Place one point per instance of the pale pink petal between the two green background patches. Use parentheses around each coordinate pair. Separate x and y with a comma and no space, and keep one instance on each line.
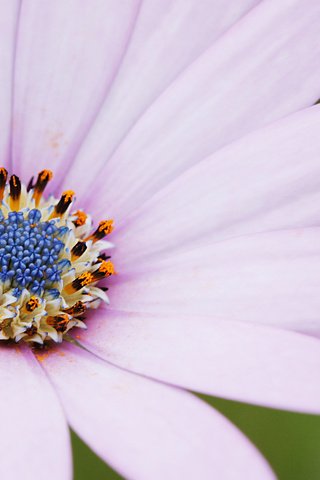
(145,429)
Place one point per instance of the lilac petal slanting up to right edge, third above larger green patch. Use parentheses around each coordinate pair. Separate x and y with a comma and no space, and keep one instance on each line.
(267,180)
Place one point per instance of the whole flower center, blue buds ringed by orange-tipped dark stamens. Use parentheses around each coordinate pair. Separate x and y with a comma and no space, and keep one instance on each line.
(50,262)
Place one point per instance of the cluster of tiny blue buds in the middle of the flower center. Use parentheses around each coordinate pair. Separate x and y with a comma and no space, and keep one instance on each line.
(31,253)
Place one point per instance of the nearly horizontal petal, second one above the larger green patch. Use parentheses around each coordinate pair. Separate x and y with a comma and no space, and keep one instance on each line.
(266,278)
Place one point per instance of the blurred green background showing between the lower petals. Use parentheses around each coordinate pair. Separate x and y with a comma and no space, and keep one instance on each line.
(290,441)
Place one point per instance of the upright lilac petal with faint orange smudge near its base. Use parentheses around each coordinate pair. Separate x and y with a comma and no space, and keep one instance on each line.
(67,56)
